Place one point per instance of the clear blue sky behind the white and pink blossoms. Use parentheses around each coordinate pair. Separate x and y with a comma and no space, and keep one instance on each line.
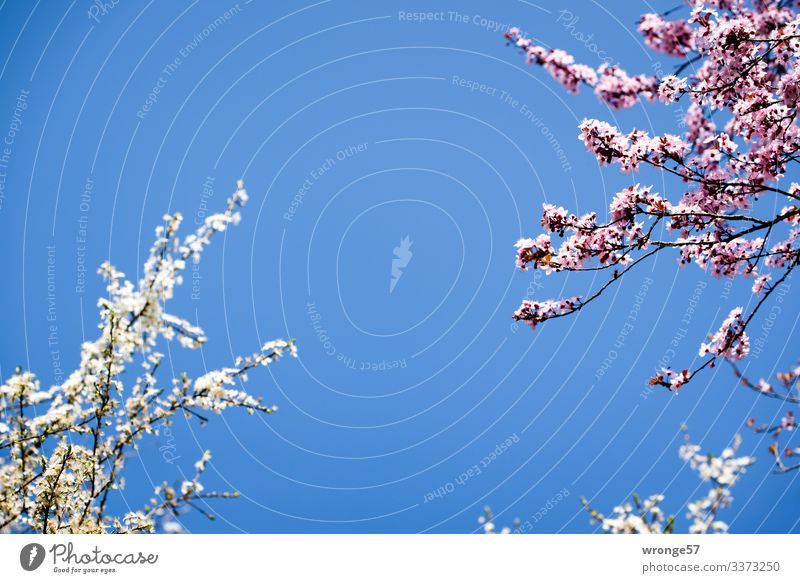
(356,125)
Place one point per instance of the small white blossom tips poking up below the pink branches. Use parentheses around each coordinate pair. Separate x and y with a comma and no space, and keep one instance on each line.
(644,516)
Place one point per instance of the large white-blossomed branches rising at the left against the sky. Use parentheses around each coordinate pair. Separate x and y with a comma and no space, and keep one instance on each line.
(63,449)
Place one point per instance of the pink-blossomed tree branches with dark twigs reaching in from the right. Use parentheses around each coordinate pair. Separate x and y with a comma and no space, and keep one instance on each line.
(739,76)
